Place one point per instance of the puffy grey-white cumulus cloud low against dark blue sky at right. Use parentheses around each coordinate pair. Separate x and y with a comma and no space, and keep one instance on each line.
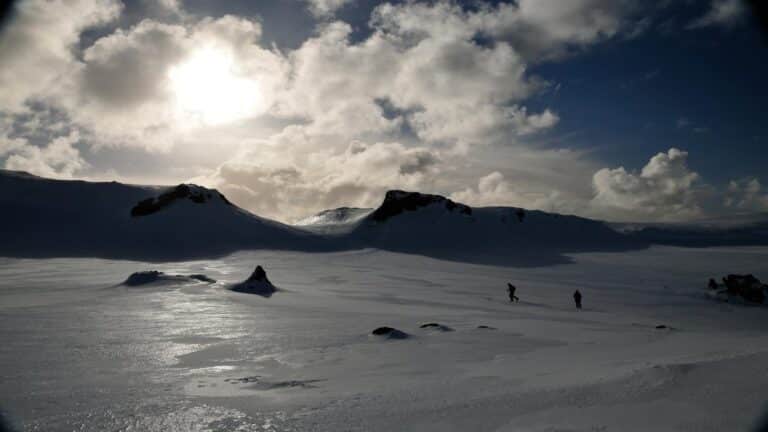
(664,190)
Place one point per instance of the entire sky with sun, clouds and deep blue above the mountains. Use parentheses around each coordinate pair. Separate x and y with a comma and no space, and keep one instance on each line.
(623,110)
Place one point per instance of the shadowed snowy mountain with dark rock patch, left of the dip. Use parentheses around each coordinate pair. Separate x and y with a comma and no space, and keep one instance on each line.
(44,217)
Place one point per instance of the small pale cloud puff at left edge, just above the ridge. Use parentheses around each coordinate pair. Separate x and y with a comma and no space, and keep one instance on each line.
(58,159)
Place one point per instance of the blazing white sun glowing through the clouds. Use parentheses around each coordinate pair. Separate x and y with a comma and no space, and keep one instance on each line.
(207,87)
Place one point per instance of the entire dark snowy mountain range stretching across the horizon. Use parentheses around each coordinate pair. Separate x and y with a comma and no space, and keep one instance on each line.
(44,217)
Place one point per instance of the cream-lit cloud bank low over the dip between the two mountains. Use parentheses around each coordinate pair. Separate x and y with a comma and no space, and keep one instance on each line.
(269,186)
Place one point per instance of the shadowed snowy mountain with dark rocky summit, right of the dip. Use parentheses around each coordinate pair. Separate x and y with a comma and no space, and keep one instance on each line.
(437,226)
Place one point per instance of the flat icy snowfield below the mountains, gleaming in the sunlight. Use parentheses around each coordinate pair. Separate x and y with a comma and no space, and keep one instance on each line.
(80,353)
